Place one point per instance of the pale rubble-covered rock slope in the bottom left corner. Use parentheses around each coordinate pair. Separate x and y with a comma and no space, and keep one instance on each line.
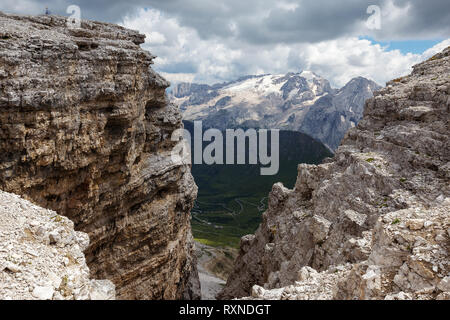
(41,256)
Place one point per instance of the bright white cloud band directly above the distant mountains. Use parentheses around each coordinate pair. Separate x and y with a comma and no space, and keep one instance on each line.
(184,56)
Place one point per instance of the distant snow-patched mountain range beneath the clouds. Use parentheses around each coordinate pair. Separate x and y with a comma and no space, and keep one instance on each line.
(302,101)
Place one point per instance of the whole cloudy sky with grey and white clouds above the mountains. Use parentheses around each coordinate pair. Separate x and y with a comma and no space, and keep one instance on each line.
(212,41)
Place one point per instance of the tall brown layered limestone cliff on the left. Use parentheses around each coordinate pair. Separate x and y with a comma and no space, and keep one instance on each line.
(85,130)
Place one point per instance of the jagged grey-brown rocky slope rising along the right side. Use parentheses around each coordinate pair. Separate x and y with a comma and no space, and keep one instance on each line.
(372,223)
